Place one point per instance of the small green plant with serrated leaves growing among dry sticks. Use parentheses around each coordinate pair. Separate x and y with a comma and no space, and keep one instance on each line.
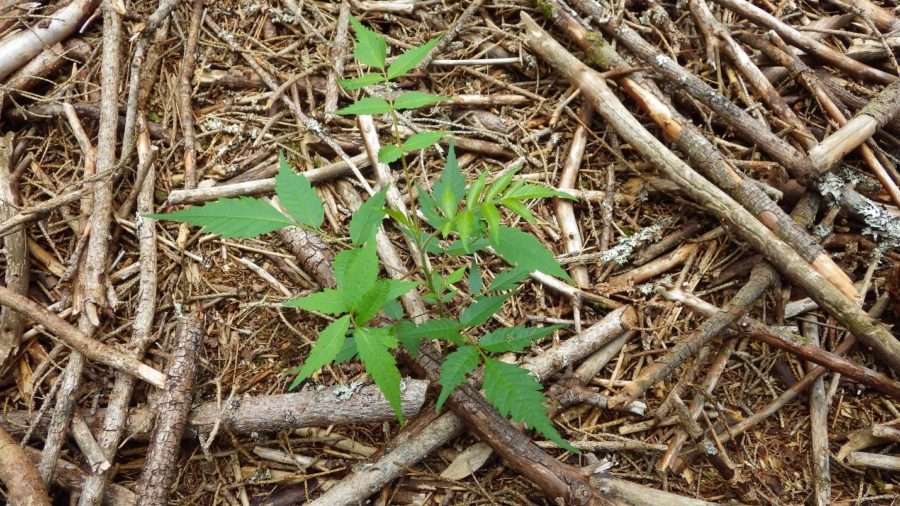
(457,220)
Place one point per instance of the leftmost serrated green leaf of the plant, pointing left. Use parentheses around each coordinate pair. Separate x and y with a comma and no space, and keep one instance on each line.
(240,217)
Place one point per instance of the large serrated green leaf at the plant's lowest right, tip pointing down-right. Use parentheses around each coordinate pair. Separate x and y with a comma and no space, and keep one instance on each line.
(515,393)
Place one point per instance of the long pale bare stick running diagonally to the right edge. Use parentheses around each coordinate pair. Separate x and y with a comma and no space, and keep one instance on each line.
(617,116)
